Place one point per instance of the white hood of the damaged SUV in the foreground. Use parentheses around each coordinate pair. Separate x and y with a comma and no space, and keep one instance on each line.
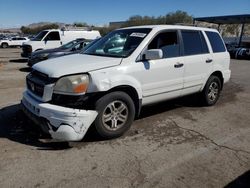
(73,64)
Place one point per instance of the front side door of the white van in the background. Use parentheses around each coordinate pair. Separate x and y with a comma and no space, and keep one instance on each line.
(52,40)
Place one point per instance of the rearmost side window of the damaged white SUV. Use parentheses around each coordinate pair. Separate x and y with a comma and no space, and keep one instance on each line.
(215,41)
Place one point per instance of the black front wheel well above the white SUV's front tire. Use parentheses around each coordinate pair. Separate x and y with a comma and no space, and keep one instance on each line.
(132,93)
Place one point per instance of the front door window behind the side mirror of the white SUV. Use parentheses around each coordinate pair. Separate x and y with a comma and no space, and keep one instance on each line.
(168,42)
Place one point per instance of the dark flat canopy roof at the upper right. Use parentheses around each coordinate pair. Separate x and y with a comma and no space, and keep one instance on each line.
(231,19)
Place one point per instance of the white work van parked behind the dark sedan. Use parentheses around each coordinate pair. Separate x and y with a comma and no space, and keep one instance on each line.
(54,38)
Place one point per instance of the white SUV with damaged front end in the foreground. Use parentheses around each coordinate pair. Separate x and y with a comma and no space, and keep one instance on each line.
(107,85)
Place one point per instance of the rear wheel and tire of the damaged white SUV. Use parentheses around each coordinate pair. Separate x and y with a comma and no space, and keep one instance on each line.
(211,91)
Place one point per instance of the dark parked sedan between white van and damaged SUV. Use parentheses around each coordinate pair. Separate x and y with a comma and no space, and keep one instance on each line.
(69,48)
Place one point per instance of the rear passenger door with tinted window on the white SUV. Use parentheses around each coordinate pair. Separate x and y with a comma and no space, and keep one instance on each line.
(198,62)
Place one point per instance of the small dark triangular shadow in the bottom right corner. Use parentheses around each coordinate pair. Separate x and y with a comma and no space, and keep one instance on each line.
(242,181)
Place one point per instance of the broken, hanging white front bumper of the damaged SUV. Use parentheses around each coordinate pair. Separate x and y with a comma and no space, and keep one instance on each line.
(63,124)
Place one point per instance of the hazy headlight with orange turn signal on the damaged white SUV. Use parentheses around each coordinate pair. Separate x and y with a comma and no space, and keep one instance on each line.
(72,85)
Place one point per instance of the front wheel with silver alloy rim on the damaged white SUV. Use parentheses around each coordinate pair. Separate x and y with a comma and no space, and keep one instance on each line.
(116,113)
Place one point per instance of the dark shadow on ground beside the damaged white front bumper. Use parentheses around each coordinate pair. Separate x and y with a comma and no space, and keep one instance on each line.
(15,126)
